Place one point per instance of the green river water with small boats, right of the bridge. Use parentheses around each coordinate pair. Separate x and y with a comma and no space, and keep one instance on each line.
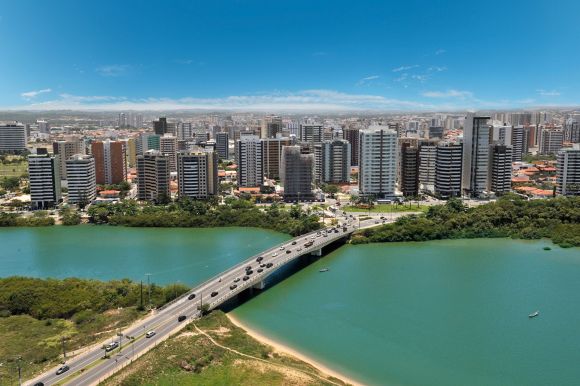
(435,313)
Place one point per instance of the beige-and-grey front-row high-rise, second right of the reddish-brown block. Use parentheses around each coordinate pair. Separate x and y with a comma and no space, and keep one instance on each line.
(197,174)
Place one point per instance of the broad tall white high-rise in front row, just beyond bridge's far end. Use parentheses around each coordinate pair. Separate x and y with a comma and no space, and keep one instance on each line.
(378,162)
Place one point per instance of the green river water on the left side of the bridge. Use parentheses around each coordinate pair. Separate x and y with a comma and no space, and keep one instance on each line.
(101,252)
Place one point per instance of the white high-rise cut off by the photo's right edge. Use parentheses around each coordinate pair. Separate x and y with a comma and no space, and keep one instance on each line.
(568,171)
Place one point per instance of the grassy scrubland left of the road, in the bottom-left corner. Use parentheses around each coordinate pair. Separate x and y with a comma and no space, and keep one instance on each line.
(39,342)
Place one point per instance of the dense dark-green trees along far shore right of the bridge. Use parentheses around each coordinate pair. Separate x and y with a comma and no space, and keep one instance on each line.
(510,216)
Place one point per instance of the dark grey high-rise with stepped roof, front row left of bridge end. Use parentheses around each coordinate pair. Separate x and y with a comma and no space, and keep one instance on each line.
(296,174)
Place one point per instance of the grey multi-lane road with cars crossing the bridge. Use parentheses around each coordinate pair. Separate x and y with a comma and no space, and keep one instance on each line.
(90,367)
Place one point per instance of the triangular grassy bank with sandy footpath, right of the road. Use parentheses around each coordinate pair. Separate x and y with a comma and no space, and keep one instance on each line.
(190,358)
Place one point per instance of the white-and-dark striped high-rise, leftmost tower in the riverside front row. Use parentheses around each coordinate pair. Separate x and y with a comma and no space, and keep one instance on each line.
(44,181)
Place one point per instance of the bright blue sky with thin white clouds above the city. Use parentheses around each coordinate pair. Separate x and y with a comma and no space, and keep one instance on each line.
(289,55)
